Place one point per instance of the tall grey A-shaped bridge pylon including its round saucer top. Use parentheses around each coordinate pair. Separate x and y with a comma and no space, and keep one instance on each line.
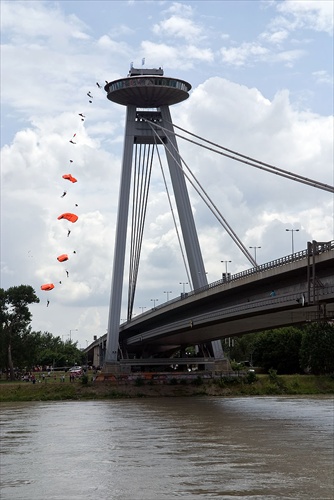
(147,95)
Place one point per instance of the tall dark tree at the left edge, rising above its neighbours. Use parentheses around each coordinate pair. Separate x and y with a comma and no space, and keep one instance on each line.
(15,319)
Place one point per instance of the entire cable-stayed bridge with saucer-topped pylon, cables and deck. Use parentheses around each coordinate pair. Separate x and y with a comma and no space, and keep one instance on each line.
(290,290)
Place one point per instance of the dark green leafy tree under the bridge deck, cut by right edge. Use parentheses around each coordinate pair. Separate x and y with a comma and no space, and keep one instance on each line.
(317,348)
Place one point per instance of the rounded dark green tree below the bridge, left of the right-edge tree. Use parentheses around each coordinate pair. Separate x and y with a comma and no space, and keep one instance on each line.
(279,349)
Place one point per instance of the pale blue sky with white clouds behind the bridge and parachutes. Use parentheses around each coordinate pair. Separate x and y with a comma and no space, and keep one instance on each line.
(262,85)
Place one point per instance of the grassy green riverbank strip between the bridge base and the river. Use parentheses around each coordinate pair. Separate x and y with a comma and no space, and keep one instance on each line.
(264,385)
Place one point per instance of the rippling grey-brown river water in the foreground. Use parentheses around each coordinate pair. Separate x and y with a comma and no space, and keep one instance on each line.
(258,448)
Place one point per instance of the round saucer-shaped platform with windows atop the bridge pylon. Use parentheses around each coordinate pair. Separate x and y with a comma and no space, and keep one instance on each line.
(147,88)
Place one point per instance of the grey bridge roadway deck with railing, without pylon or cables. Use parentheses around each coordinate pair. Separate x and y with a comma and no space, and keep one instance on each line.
(291,290)
